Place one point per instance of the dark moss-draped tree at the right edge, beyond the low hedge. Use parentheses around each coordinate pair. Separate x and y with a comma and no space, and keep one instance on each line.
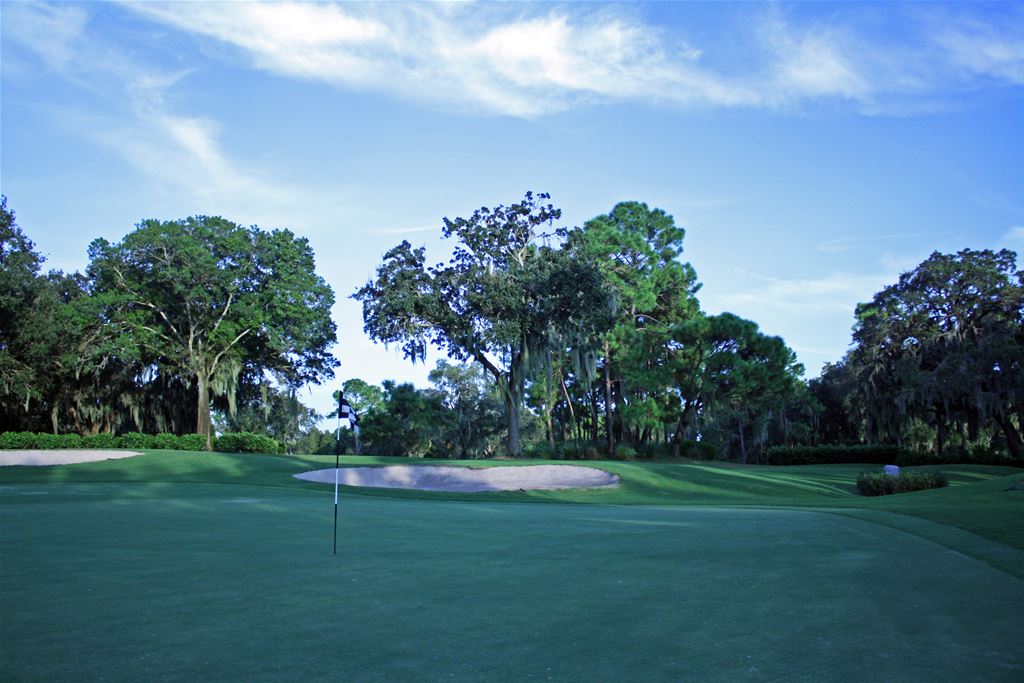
(946,346)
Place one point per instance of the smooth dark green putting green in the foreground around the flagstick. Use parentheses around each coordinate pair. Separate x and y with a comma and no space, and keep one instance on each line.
(175,581)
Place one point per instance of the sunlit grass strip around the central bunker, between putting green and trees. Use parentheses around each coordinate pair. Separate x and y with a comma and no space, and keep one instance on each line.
(977,501)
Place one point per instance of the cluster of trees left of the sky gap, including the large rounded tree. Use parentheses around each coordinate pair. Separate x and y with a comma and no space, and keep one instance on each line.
(178,321)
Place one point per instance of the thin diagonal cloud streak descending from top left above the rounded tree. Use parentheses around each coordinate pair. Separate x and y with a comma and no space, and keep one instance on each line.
(181,153)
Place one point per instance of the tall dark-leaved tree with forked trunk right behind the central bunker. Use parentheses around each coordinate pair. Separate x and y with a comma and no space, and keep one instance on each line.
(503,301)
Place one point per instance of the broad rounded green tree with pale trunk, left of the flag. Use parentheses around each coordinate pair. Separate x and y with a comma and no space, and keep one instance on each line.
(204,300)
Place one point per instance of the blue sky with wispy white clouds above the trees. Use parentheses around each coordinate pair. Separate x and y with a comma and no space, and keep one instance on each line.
(813,152)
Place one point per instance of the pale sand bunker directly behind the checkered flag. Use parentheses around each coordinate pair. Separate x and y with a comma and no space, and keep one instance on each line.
(465,480)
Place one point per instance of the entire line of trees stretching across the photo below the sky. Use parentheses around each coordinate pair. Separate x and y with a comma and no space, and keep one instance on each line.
(562,341)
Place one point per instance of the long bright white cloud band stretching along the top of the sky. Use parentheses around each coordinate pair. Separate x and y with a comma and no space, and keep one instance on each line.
(530,61)
